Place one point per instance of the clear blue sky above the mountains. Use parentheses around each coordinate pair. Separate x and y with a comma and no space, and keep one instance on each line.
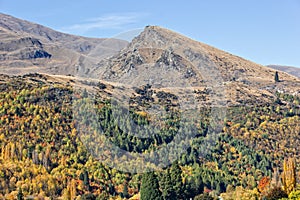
(264,31)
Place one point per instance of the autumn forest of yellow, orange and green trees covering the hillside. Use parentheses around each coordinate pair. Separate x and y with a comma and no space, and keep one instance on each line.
(52,146)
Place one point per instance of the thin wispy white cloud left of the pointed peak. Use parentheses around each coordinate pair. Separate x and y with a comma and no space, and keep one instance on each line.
(112,21)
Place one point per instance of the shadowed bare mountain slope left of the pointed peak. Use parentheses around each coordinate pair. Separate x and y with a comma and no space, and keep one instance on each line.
(29,47)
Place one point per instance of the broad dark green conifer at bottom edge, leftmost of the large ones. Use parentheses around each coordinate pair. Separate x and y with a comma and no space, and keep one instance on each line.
(150,187)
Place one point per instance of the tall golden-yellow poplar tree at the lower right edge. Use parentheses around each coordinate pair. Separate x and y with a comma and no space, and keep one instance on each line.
(288,176)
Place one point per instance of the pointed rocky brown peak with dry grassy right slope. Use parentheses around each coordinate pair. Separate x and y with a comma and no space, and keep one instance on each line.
(166,59)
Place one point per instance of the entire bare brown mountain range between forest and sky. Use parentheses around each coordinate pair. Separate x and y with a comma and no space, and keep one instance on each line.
(157,56)
